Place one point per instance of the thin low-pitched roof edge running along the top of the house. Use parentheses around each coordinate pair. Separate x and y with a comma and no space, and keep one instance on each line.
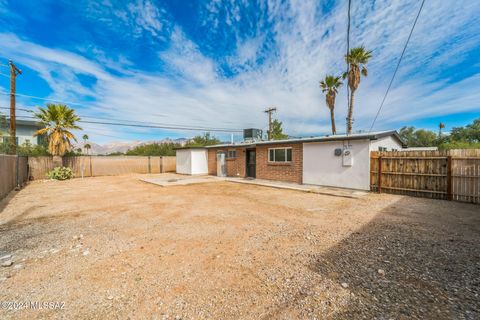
(339,137)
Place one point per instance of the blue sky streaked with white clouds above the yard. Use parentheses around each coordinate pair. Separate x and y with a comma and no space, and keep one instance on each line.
(220,63)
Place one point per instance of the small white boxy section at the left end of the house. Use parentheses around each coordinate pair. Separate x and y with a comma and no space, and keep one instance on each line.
(192,161)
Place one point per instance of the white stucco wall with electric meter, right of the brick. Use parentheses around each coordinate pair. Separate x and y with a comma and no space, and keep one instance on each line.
(322,167)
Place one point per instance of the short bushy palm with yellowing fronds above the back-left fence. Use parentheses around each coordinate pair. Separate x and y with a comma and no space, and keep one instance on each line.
(58,120)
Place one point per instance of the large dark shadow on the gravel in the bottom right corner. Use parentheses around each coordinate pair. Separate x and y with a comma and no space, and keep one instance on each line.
(430,259)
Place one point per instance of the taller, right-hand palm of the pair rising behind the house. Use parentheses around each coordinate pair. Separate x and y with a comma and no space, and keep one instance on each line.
(357,58)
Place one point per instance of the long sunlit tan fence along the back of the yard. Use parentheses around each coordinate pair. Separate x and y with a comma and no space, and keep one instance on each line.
(93,166)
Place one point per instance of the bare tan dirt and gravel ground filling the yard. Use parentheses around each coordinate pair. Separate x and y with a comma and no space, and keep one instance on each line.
(119,248)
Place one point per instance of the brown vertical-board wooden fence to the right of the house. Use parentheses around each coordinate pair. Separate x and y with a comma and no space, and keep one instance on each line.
(450,174)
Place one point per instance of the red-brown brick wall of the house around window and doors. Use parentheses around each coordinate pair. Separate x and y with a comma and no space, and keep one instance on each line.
(290,172)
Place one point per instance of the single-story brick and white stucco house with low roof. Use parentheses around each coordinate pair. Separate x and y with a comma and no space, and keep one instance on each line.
(337,160)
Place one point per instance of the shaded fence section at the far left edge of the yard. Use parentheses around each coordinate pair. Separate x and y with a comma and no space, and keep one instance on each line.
(13,173)
